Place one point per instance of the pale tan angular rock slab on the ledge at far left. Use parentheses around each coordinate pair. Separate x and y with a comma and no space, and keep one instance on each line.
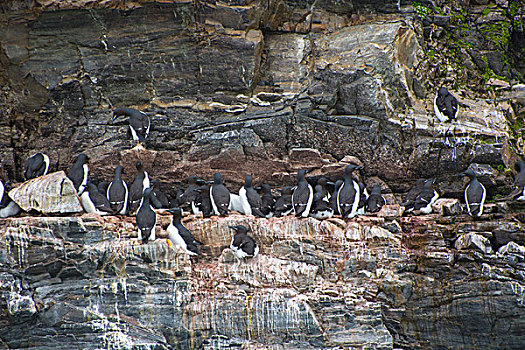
(50,194)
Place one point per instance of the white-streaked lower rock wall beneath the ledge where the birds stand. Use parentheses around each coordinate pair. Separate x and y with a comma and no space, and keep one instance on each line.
(369,283)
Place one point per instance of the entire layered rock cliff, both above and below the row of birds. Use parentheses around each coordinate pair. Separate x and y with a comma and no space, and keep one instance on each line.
(261,87)
